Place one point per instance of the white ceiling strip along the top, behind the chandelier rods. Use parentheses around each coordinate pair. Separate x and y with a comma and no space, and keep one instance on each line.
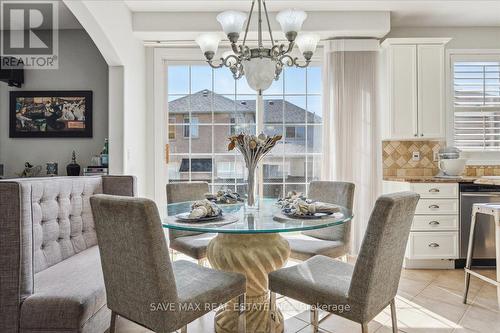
(404,13)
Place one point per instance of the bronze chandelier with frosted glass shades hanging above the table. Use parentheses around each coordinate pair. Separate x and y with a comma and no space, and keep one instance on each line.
(260,65)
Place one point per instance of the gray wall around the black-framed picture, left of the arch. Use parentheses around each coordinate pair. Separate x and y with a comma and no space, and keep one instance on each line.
(81,67)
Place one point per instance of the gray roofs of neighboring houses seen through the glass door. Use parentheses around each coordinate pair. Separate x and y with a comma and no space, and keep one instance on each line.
(200,101)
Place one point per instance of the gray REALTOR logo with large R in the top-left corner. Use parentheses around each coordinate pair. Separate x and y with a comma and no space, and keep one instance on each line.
(29,33)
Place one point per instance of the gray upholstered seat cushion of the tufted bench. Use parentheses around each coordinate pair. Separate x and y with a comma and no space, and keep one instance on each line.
(67,294)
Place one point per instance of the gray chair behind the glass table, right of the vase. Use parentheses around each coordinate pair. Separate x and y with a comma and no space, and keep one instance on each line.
(334,241)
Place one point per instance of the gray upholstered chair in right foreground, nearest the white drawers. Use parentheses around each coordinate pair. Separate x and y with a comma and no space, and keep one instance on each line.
(368,286)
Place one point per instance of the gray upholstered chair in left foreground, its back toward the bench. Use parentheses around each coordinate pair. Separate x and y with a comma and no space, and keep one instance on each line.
(141,282)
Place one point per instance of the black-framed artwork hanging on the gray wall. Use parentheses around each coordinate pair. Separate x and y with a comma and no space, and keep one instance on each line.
(50,114)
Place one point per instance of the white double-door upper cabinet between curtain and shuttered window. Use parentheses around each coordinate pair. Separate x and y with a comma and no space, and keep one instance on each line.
(415,88)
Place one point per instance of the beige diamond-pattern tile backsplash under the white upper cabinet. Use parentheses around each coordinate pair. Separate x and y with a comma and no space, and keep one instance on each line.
(397,158)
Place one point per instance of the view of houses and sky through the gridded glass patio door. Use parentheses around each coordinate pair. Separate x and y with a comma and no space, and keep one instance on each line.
(207,106)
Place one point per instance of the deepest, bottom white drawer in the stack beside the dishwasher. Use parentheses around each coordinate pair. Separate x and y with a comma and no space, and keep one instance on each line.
(433,245)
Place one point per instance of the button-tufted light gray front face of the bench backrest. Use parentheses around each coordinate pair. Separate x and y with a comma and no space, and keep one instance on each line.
(62,220)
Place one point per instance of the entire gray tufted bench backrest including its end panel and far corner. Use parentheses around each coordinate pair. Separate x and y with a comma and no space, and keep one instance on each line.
(44,221)
